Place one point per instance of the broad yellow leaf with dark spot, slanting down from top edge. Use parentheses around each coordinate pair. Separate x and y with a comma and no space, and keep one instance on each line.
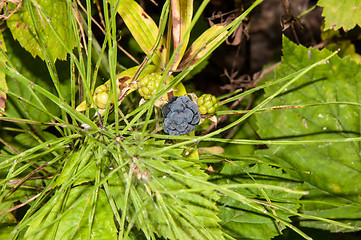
(143,28)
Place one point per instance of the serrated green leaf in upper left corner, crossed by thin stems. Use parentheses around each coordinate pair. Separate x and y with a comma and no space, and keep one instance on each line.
(23,28)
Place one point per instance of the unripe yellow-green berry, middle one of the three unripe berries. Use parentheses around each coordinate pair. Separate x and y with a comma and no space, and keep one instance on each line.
(147,85)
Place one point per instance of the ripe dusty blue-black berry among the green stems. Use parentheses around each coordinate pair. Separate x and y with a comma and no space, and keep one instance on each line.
(181,116)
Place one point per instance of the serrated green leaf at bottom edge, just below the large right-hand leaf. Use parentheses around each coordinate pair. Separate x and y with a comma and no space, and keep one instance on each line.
(242,222)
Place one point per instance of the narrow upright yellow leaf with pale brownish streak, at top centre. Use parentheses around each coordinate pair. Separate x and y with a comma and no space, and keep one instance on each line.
(182,12)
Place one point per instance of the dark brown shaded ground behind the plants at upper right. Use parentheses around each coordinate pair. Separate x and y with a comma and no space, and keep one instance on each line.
(261,41)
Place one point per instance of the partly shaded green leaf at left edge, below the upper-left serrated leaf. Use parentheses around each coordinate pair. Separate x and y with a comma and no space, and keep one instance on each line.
(36,70)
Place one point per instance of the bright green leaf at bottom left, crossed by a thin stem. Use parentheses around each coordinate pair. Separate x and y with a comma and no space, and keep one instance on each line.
(50,223)
